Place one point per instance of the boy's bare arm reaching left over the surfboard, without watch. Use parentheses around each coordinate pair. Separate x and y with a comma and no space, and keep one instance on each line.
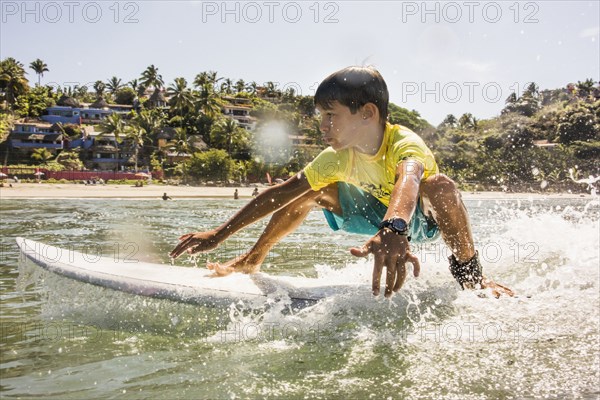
(267,202)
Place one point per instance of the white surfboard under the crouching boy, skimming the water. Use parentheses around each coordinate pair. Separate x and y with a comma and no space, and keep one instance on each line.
(183,284)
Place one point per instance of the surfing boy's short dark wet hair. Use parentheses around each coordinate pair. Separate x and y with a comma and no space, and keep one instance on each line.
(354,87)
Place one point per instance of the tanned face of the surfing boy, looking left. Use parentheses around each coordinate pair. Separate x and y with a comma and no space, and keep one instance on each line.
(340,128)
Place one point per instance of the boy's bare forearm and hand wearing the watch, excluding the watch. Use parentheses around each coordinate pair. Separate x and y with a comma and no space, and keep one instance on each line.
(389,249)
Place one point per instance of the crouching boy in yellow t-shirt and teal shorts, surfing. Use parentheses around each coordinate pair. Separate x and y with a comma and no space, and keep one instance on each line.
(375,179)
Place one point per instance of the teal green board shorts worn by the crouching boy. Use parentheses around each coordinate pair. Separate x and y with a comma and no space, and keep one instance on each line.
(362,213)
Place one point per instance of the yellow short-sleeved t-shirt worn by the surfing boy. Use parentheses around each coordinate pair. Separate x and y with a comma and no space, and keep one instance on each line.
(375,174)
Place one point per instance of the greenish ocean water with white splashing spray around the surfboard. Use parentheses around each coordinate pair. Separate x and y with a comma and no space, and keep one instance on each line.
(61,339)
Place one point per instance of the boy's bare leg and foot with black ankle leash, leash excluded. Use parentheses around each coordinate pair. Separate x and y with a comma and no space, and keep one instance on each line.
(442,198)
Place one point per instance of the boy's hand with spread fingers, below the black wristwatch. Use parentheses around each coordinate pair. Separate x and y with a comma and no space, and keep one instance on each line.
(393,252)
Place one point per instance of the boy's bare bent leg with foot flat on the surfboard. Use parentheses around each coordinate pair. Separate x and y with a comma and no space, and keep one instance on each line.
(282,223)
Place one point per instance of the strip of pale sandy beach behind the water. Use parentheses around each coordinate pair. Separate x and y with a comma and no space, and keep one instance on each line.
(155,191)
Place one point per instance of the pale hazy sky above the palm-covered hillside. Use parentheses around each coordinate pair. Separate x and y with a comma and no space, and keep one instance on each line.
(438,58)
